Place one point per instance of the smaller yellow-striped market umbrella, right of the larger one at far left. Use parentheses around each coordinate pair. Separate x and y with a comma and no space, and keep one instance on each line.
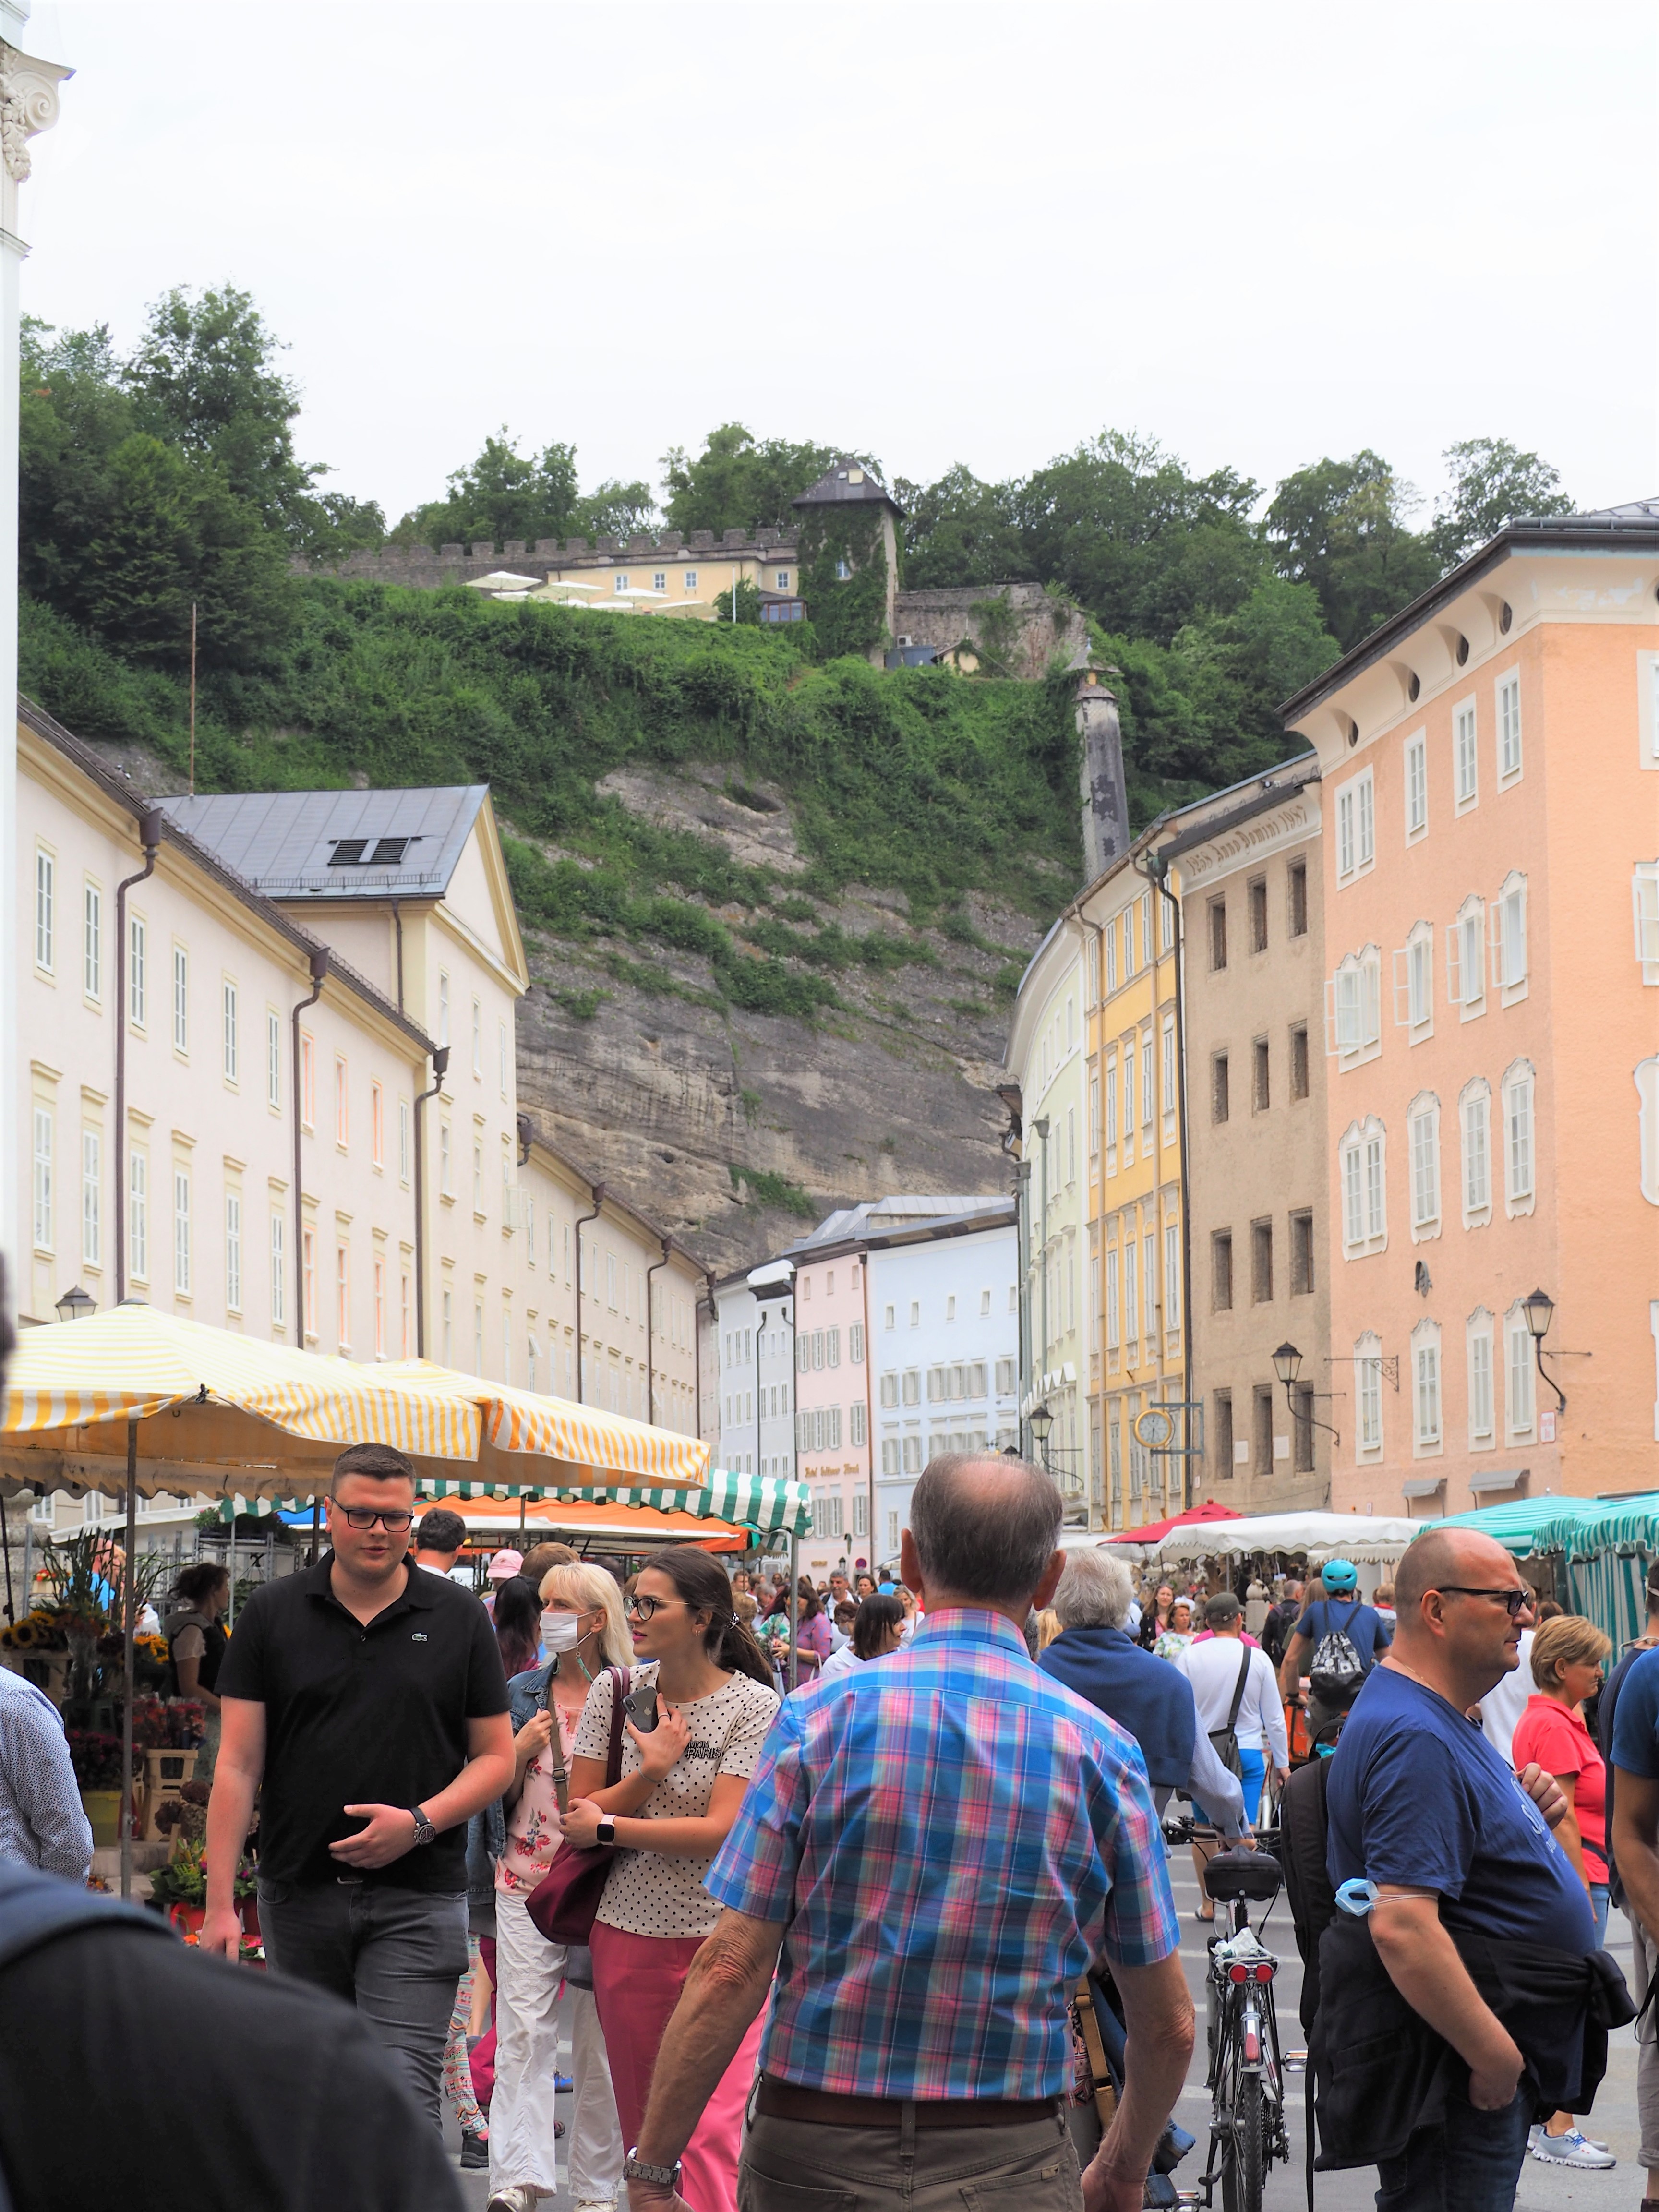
(523,1428)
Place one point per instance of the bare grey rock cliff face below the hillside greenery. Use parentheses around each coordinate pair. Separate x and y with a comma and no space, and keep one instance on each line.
(738,1129)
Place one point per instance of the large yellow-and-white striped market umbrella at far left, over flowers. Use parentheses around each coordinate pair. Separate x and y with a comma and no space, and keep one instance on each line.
(207,1404)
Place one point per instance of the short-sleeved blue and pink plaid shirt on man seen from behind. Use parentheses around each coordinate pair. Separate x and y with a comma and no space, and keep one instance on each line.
(943,1833)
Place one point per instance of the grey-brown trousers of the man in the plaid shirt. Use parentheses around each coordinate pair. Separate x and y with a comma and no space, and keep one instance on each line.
(808,2167)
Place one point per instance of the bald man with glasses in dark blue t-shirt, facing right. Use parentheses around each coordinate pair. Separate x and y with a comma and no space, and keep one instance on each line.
(1423,1808)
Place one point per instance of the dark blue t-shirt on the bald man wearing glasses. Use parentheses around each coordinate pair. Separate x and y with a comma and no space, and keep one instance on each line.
(1421,1799)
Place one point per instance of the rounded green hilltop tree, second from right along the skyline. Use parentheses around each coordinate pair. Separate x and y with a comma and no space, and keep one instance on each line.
(1342,528)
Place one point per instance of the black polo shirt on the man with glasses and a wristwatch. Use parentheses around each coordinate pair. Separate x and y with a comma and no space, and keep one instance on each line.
(362,1715)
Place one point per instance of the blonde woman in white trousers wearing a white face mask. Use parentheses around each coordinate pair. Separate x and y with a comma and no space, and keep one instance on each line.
(583,1634)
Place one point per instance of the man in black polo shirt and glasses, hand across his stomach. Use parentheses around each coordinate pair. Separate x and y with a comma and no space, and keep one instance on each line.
(371,1702)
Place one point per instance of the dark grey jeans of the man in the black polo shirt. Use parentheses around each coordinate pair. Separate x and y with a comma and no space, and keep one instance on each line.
(395,1954)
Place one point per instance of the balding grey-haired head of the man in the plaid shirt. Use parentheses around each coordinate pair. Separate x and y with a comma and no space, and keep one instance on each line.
(988,1538)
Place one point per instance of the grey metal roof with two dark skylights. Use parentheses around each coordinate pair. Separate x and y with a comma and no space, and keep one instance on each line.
(337,844)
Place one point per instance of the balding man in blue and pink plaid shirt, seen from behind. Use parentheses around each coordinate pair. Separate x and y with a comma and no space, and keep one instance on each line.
(930,1855)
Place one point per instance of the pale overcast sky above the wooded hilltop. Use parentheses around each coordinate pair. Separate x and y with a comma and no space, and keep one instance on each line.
(926,231)
